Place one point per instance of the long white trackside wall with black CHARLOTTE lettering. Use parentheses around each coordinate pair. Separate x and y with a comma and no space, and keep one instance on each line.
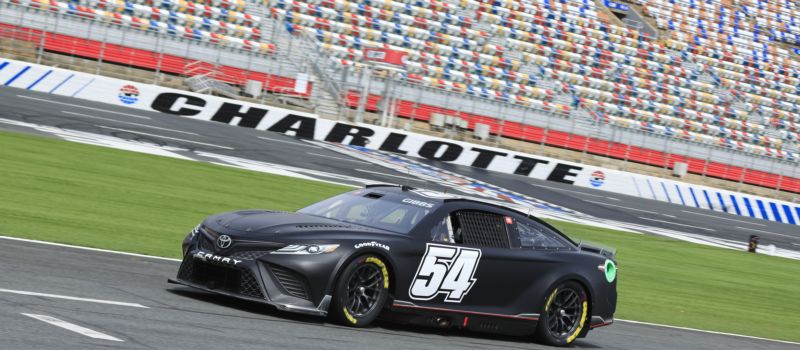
(179,103)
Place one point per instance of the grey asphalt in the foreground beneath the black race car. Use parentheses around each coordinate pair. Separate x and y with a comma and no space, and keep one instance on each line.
(177,317)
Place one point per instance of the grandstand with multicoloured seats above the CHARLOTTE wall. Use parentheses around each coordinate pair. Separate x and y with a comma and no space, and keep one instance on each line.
(717,86)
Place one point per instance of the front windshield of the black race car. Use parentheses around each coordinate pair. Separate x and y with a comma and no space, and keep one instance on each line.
(394,212)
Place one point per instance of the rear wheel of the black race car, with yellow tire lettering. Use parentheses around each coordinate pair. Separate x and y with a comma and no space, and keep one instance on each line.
(564,315)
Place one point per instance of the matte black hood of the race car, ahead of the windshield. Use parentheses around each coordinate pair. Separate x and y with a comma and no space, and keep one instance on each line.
(270,223)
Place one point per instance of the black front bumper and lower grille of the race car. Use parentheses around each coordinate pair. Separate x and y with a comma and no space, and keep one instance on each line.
(250,279)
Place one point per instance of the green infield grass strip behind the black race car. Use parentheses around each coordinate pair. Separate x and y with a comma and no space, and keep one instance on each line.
(105,198)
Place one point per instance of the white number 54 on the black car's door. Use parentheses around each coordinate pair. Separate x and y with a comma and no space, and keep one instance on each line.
(447,270)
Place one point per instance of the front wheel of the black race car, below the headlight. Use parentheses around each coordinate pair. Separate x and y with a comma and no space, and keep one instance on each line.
(361,292)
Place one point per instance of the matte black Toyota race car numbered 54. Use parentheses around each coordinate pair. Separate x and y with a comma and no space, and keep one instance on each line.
(407,255)
